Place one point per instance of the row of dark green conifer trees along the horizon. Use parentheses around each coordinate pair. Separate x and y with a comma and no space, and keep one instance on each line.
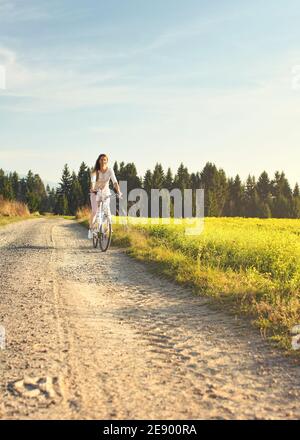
(264,197)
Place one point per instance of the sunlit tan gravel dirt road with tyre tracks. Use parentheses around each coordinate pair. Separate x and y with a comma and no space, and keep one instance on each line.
(93,335)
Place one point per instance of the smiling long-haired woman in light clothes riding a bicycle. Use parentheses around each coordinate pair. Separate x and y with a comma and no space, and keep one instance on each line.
(100,177)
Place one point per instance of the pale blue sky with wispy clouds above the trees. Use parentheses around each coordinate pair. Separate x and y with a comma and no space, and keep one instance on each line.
(166,81)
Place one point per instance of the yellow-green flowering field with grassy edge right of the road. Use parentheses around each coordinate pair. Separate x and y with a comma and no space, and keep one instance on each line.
(251,266)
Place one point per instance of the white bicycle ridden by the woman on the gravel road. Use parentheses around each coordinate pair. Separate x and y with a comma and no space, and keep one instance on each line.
(102,226)
